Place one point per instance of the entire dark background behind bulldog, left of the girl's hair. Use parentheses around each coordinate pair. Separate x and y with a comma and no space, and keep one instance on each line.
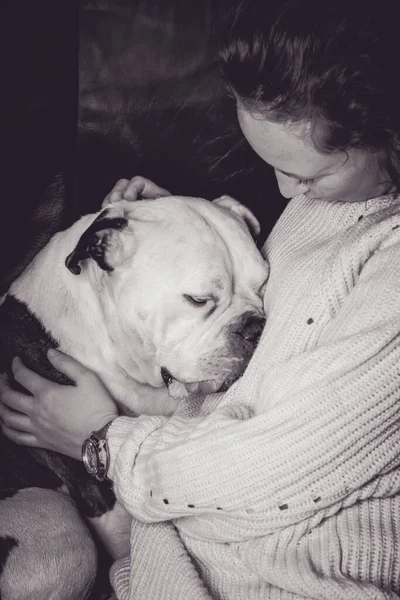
(96,91)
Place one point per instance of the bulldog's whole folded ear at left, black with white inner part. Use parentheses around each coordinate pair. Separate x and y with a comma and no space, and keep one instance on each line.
(102,242)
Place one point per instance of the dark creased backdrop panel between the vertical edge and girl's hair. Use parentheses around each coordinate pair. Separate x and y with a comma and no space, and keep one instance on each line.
(152,102)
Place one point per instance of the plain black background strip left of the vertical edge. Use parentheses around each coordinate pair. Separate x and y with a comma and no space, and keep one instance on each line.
(39,80)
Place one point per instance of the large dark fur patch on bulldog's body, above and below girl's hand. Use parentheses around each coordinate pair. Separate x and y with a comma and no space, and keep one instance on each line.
(22,334)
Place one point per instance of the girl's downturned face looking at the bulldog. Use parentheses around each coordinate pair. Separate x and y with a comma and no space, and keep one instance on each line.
(352,176)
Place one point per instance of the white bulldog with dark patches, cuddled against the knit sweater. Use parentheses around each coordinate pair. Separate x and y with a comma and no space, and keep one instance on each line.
(161,298)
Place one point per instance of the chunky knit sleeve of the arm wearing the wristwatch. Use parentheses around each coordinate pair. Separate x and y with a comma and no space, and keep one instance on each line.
(330,427)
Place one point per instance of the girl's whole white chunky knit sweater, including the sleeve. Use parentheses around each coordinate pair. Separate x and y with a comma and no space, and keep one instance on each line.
(287,486)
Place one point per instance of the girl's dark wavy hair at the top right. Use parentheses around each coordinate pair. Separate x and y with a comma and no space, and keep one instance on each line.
(332,63)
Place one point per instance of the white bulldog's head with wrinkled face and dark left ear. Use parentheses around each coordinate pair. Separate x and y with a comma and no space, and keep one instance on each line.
(181,282)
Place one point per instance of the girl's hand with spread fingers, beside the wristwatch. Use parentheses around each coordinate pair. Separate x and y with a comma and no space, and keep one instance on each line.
(56,417)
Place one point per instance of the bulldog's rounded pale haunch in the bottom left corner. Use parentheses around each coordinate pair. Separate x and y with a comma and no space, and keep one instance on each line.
(50,552)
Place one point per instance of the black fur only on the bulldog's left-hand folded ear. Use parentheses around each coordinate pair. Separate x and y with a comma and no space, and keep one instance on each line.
(93,243)
